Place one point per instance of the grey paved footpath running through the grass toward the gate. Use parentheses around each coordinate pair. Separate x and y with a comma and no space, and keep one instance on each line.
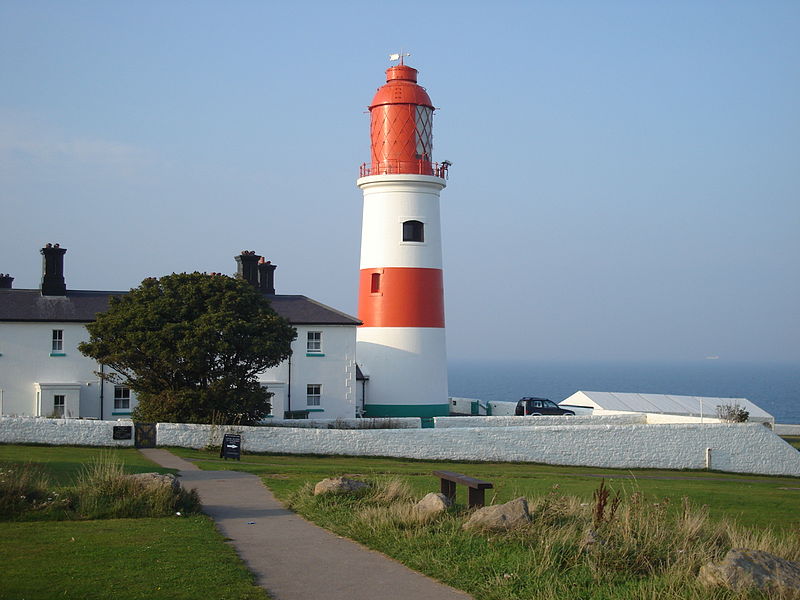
(291,558)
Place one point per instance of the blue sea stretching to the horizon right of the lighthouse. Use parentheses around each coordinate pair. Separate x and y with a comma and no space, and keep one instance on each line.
(775,387)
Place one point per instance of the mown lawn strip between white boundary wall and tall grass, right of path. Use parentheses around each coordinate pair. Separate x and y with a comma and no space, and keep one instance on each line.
(762,501)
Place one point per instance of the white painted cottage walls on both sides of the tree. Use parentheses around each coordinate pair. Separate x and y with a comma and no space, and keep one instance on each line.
(25,361)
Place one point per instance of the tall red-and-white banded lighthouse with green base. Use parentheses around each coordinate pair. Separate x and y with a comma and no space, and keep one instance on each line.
(401,344)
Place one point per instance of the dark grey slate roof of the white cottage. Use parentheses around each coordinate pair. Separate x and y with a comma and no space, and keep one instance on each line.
(81,306)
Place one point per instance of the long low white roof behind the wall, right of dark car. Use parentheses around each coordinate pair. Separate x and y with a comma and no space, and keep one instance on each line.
(663,403)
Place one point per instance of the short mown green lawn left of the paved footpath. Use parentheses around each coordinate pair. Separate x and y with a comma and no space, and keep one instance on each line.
(171,557)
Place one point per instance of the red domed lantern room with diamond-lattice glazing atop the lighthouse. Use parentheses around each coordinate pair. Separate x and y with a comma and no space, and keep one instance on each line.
(401,126)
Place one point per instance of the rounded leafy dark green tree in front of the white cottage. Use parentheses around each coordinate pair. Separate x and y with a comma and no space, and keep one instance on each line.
(191,346)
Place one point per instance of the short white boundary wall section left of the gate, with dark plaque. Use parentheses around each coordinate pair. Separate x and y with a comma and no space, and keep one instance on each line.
(61,432)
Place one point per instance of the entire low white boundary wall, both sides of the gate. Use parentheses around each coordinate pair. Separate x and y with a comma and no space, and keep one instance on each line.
(739,448)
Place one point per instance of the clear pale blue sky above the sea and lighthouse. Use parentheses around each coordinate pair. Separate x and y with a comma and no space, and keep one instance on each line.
(625,180)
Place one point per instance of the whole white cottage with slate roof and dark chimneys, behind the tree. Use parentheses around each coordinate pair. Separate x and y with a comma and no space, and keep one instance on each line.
(43,374)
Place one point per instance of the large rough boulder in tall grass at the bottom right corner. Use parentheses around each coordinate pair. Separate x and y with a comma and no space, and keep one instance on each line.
(743,569)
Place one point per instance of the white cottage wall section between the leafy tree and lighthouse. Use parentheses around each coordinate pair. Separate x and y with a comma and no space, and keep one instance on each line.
(334,368)
